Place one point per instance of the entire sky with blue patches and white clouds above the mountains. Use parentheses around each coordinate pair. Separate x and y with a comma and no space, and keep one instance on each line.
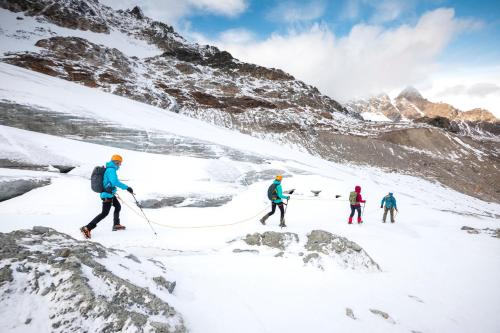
(358,48)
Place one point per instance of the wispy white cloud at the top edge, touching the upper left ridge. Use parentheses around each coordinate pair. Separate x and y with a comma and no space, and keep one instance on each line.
(171,11)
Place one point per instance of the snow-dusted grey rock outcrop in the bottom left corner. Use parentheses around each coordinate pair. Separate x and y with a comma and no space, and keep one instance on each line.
(64,271)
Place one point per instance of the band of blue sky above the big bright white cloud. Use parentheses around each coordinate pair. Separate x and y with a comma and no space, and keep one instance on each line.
(262,18)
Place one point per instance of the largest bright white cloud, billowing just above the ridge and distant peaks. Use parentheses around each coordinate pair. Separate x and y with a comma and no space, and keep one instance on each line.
(369,60)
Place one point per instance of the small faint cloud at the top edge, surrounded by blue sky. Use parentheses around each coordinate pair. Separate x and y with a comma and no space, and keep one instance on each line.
(293,11)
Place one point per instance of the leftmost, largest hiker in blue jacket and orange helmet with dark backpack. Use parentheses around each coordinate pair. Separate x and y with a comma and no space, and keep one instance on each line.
(107,193)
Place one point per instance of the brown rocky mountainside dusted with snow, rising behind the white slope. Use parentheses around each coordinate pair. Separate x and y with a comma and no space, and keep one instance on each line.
(71,40)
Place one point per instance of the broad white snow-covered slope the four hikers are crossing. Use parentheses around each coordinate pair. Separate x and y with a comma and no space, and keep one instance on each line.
(424,271)
